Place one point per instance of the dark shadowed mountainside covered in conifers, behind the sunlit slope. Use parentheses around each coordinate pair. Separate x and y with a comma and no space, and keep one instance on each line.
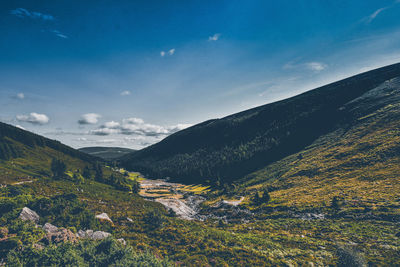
(230,148)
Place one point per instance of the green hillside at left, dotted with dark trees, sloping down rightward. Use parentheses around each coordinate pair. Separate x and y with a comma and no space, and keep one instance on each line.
(25,155)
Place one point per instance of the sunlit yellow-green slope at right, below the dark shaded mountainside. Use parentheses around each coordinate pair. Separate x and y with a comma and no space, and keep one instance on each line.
(359,161)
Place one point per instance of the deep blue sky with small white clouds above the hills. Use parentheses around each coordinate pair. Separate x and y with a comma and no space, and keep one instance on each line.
(130,73)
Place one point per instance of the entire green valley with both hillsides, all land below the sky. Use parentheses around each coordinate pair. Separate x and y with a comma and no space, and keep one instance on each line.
(244,190)
